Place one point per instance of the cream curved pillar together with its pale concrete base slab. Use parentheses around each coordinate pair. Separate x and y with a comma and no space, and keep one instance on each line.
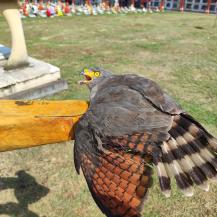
(22,77)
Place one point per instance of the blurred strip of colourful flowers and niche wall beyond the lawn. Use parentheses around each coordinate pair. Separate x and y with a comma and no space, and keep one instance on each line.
(52,8)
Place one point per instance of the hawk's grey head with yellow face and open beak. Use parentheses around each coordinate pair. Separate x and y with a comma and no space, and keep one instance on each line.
(93,75)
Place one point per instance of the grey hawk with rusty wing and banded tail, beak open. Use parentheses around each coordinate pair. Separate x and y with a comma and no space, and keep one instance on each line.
(131,127)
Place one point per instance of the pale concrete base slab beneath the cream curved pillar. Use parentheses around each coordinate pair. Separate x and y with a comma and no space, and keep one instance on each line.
(37,80)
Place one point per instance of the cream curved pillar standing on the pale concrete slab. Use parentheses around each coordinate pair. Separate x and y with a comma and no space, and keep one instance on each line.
(18,56)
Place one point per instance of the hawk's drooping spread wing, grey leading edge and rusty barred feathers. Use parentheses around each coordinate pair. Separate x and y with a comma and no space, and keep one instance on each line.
(117,179)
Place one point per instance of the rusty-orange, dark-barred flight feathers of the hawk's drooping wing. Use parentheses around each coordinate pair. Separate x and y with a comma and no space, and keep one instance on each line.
(119,183)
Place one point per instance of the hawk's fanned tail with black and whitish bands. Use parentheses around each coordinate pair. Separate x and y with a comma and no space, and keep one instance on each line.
(189,155)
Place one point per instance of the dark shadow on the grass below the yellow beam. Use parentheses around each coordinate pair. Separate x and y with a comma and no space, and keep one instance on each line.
(26,191)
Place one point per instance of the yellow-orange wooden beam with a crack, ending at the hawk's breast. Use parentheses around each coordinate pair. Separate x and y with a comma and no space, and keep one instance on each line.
(25,124)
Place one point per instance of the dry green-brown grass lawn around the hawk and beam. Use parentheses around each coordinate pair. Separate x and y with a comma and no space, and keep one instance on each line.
(176,50)
